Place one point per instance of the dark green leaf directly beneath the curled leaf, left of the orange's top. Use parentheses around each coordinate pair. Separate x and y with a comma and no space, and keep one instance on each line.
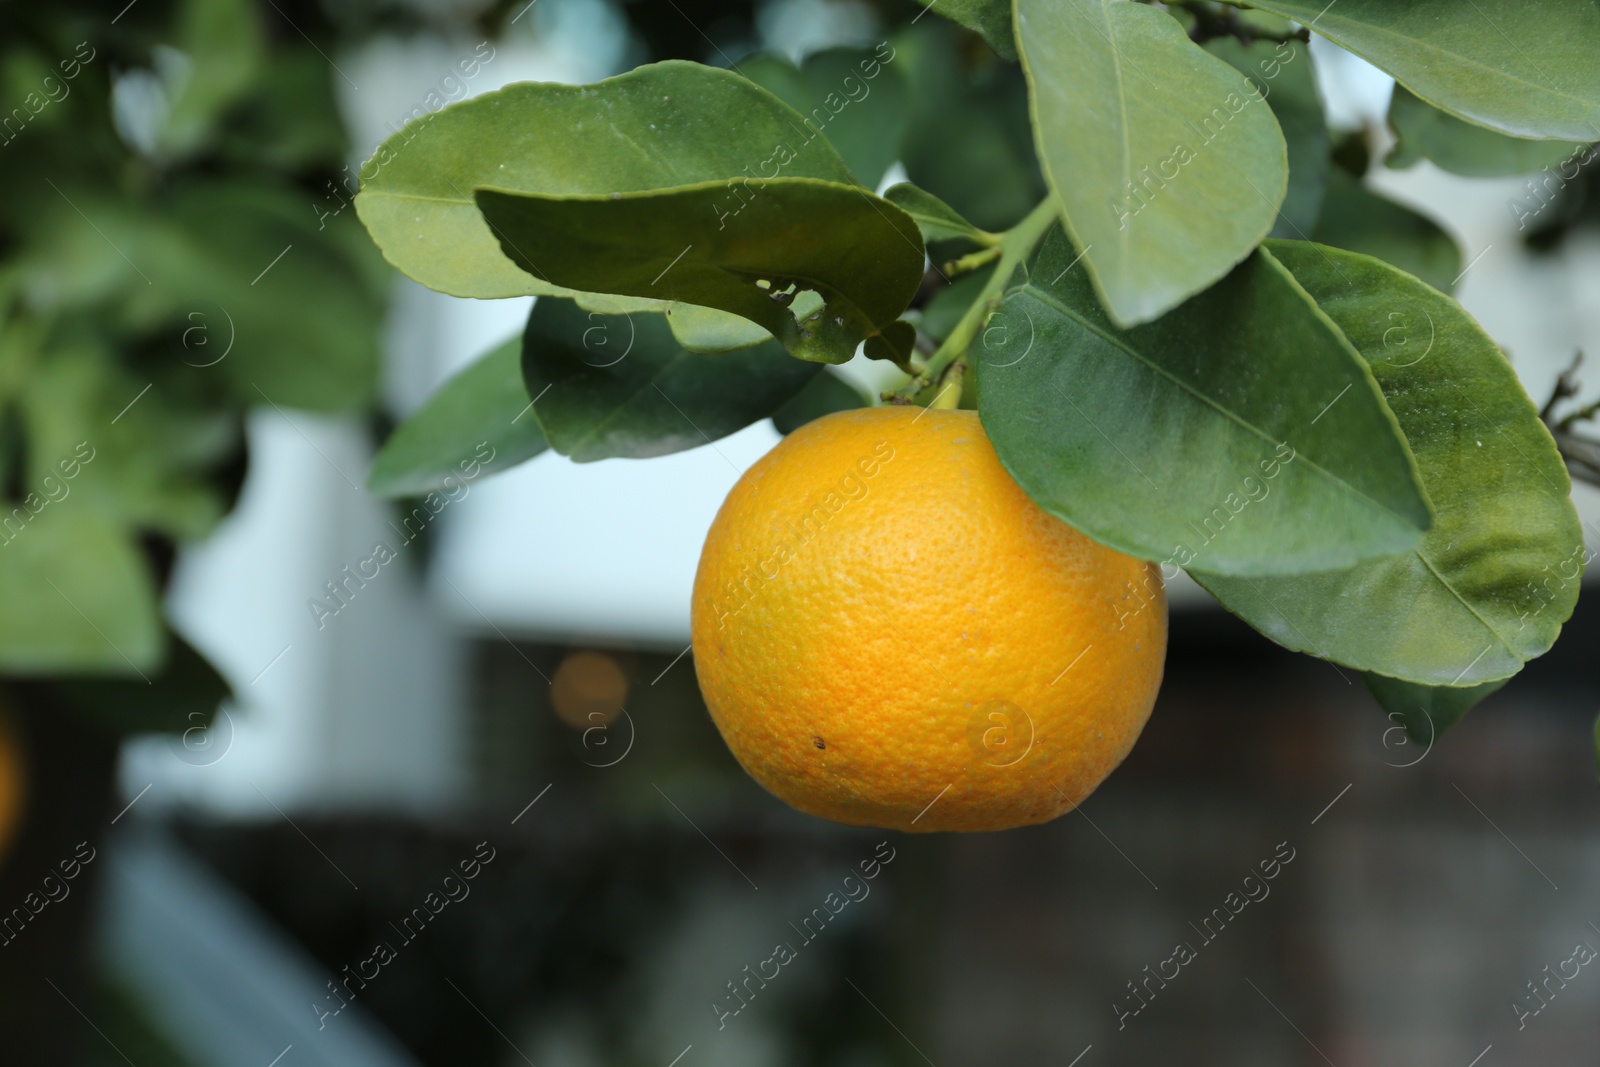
(612,386)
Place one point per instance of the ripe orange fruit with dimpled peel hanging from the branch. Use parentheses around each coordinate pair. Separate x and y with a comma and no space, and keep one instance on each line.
(890,633)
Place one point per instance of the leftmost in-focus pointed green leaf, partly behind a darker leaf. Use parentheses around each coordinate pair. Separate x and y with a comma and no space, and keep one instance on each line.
(484,409)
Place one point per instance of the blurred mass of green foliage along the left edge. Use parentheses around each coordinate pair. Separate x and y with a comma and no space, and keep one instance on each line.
(174,252)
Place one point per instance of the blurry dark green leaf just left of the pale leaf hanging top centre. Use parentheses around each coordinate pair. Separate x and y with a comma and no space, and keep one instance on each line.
(970,140)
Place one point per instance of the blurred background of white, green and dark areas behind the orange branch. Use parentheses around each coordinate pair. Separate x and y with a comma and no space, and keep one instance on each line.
(473,812)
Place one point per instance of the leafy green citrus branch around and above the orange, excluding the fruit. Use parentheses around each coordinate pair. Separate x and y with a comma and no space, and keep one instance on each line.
(1129,241)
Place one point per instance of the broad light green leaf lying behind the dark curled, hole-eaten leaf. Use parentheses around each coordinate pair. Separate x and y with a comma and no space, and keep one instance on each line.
(658,127)
